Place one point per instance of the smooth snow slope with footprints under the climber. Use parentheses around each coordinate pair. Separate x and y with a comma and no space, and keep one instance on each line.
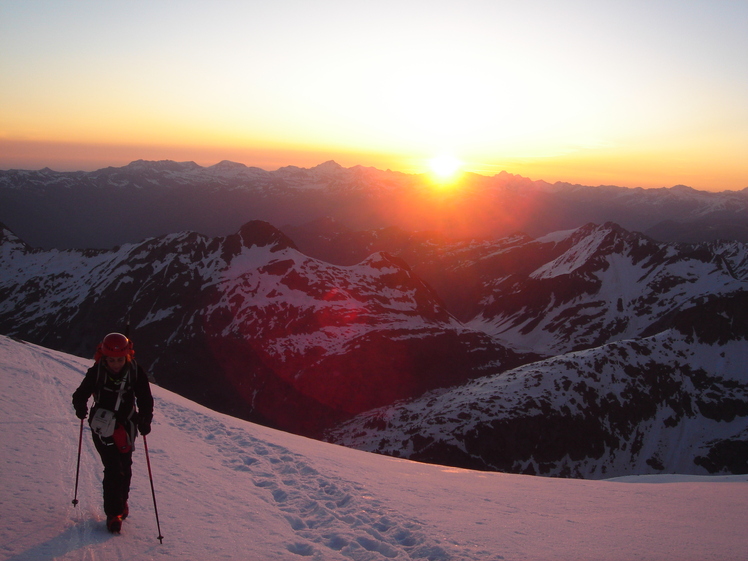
(228,489)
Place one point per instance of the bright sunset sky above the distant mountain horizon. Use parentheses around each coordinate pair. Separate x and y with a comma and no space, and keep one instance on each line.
(641,93)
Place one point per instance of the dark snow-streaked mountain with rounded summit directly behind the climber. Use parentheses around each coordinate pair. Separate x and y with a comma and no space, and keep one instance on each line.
(247,324)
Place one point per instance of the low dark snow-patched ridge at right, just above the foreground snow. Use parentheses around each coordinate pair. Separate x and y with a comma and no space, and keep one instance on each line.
(675,402)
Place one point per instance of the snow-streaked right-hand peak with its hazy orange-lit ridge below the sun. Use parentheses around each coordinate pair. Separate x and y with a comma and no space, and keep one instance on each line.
(624,280)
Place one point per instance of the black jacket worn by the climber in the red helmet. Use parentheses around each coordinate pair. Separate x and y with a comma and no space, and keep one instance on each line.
(104,385)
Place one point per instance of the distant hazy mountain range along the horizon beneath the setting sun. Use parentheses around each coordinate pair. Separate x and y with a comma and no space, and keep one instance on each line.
(112,206)
